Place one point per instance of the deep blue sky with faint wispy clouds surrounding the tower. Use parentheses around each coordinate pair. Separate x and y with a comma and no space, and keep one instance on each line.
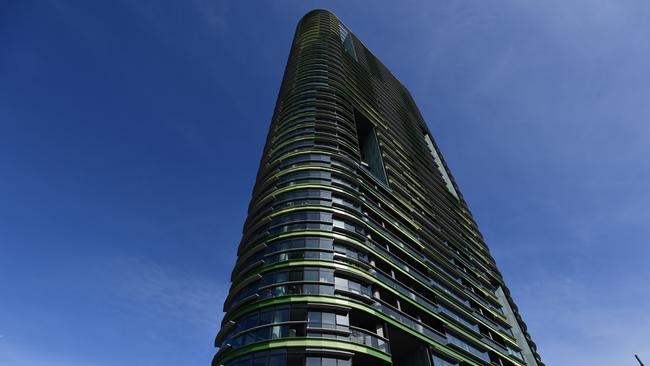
(131,131)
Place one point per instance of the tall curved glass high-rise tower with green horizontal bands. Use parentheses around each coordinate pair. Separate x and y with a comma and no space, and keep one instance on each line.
(358,248)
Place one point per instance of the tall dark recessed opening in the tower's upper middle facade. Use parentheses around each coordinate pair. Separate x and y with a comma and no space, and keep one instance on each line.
(369,147)
